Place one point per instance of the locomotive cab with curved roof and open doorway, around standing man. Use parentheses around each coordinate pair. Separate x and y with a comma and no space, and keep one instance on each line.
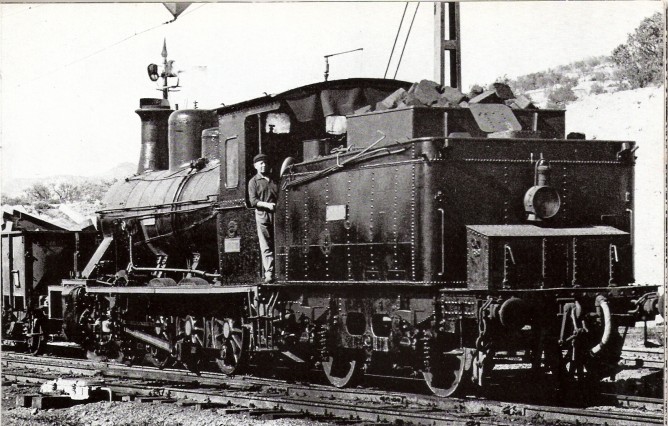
(303,125)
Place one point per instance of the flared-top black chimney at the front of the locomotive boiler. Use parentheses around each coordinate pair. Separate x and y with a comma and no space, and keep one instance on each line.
(154,114)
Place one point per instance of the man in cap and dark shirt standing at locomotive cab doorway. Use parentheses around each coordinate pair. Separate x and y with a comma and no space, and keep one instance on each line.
(262,194)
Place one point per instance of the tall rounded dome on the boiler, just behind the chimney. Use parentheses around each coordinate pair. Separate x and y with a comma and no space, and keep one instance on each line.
(185,135)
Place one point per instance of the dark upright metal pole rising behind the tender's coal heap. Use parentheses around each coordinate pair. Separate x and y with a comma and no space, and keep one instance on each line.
(447,41)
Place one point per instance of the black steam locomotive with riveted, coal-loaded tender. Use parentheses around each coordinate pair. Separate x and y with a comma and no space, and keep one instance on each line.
(411,240)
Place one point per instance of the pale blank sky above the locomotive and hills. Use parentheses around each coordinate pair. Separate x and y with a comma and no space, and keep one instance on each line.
(72,74)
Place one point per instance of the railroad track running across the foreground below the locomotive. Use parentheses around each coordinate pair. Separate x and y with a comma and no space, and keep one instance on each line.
(319,402)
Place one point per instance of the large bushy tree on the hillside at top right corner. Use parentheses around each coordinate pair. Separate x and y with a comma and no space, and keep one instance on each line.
(640,59)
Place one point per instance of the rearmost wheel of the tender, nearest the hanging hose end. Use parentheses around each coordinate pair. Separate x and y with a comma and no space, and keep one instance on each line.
(448,372)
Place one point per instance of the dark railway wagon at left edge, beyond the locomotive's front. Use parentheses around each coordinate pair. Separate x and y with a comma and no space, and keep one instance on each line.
(36,253)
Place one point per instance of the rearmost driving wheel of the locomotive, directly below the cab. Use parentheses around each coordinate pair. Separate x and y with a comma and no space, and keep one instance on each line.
(232,339)
